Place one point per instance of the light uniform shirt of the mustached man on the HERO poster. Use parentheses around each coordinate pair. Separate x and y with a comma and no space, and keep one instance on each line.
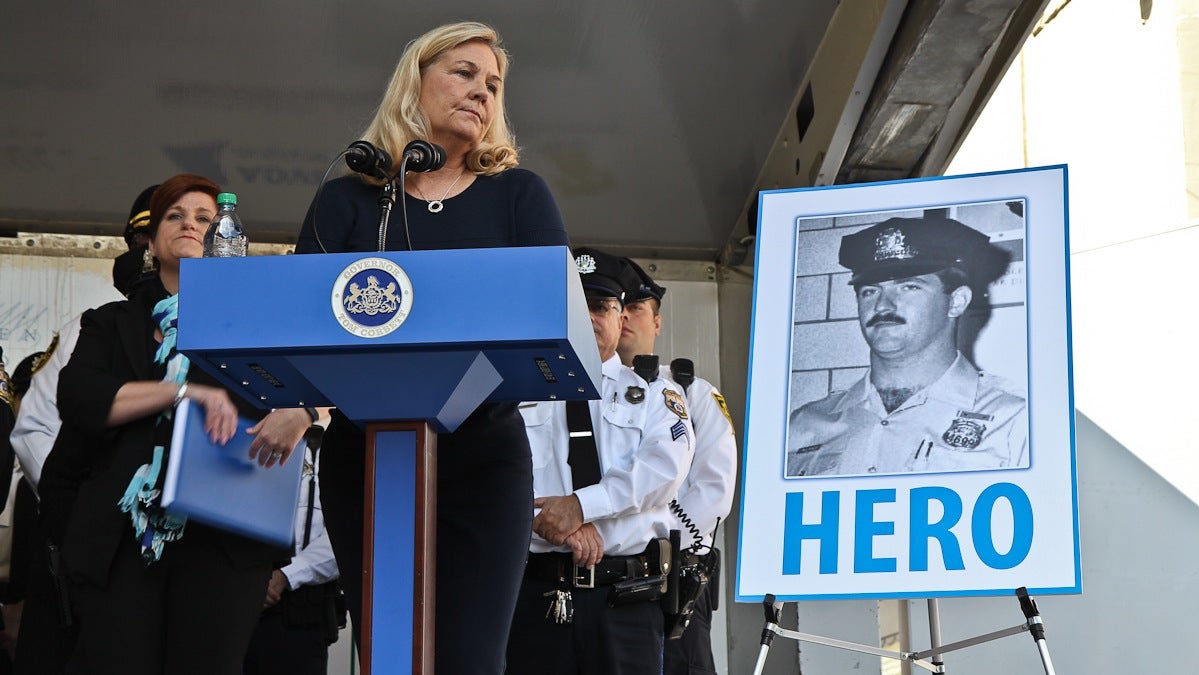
(967,420)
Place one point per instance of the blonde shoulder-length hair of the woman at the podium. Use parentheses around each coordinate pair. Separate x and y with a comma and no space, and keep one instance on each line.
(400,120)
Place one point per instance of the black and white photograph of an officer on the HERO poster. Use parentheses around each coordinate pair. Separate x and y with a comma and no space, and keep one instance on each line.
(909,349)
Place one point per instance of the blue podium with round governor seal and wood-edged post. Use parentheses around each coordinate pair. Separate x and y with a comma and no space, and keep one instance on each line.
(407,345)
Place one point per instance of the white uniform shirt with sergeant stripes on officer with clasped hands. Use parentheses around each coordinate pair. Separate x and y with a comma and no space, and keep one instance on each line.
(646,449)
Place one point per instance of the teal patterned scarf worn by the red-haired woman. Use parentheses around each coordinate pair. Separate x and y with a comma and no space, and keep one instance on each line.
(152,525)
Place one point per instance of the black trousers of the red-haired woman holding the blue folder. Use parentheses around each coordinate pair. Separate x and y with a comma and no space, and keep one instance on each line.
(191,613)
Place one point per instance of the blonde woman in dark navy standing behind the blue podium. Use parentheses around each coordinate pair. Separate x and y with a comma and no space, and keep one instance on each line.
(448,89)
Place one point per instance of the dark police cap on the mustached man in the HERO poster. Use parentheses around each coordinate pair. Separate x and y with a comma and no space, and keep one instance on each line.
(909,248)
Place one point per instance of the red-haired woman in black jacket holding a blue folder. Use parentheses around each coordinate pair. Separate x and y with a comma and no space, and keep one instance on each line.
(153,593)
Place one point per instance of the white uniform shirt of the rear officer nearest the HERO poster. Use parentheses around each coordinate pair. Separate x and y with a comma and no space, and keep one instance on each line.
(707,493)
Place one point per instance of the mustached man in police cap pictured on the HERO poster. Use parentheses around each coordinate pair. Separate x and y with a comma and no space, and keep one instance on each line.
(923,406)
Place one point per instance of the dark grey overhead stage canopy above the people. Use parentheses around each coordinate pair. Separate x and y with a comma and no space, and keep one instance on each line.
(654,123)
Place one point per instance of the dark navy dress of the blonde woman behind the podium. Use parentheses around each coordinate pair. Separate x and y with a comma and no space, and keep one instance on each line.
(485,468)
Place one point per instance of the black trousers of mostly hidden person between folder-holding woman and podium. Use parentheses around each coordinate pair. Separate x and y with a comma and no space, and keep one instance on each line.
(279,650)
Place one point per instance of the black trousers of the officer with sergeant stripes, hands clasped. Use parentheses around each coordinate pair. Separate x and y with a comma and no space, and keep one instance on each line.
(601,641)
